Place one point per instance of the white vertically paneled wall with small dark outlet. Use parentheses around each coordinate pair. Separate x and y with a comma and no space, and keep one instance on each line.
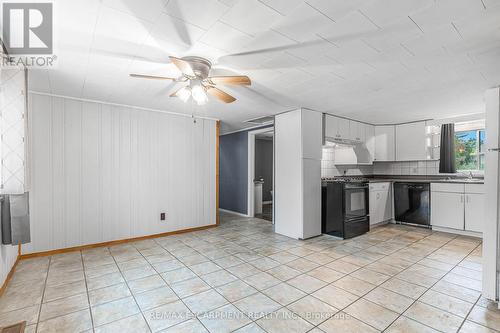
(102,172)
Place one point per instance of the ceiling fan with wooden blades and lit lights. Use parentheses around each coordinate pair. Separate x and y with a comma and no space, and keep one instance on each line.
(195,71)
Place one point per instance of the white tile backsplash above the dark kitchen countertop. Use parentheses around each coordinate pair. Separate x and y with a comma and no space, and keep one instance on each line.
(416,168)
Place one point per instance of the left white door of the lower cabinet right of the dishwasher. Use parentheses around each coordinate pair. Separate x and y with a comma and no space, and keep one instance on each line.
(447,210)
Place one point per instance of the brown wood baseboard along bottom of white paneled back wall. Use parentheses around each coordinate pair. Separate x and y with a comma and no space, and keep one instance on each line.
(111,243)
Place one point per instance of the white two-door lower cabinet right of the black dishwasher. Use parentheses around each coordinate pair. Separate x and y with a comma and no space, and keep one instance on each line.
(458,206)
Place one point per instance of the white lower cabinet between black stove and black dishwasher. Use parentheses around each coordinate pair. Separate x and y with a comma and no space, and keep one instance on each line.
(380,202)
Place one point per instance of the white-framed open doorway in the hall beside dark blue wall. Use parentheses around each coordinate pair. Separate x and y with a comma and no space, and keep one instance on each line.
(261,174)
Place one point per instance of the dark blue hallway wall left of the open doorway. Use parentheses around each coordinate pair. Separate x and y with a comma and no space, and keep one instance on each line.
(233,171)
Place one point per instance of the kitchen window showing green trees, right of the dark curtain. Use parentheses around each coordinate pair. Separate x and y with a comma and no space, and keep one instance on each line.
(469,150)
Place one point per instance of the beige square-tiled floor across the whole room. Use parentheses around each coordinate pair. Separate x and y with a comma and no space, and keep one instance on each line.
(243,277)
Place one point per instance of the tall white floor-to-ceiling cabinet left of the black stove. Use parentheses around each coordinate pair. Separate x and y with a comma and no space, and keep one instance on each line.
(298,143)
